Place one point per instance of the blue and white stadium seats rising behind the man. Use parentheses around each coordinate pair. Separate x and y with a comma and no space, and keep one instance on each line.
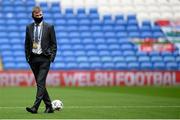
(91,34)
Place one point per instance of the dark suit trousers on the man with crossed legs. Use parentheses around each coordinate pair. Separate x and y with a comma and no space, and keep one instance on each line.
(40,65)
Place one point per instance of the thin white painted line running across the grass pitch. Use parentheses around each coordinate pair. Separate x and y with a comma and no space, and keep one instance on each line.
(101,107)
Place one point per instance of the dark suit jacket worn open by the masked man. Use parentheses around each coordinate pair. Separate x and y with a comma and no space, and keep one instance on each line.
(48,41)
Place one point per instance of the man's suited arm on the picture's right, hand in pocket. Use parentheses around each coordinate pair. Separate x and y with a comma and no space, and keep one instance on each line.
(53,44)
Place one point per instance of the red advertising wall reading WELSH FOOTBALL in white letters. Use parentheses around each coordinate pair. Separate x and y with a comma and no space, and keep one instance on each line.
(93,78)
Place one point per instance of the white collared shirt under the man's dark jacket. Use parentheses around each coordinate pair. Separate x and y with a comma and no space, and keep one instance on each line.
(38,50)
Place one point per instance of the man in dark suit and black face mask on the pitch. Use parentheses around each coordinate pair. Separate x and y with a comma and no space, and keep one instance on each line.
(40,51)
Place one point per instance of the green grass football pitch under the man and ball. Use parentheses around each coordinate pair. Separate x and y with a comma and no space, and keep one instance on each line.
(95,103)
